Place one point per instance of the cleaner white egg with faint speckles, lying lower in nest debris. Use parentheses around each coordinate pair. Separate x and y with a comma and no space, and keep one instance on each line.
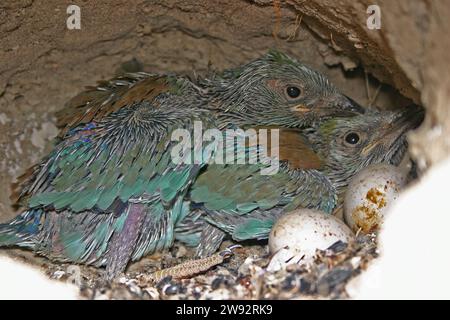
(297,235)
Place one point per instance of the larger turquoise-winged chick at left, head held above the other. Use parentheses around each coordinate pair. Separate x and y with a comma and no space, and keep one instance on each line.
(108,193)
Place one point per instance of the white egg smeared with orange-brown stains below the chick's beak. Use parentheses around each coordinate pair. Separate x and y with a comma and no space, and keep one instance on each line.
(370,194)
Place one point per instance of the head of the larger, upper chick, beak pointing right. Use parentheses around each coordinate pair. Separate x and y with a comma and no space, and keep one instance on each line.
(278,90)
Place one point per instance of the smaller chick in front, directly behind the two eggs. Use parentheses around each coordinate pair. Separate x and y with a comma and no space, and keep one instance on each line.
(238,201)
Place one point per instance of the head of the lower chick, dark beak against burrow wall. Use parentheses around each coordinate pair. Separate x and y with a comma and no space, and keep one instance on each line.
(348,145)
